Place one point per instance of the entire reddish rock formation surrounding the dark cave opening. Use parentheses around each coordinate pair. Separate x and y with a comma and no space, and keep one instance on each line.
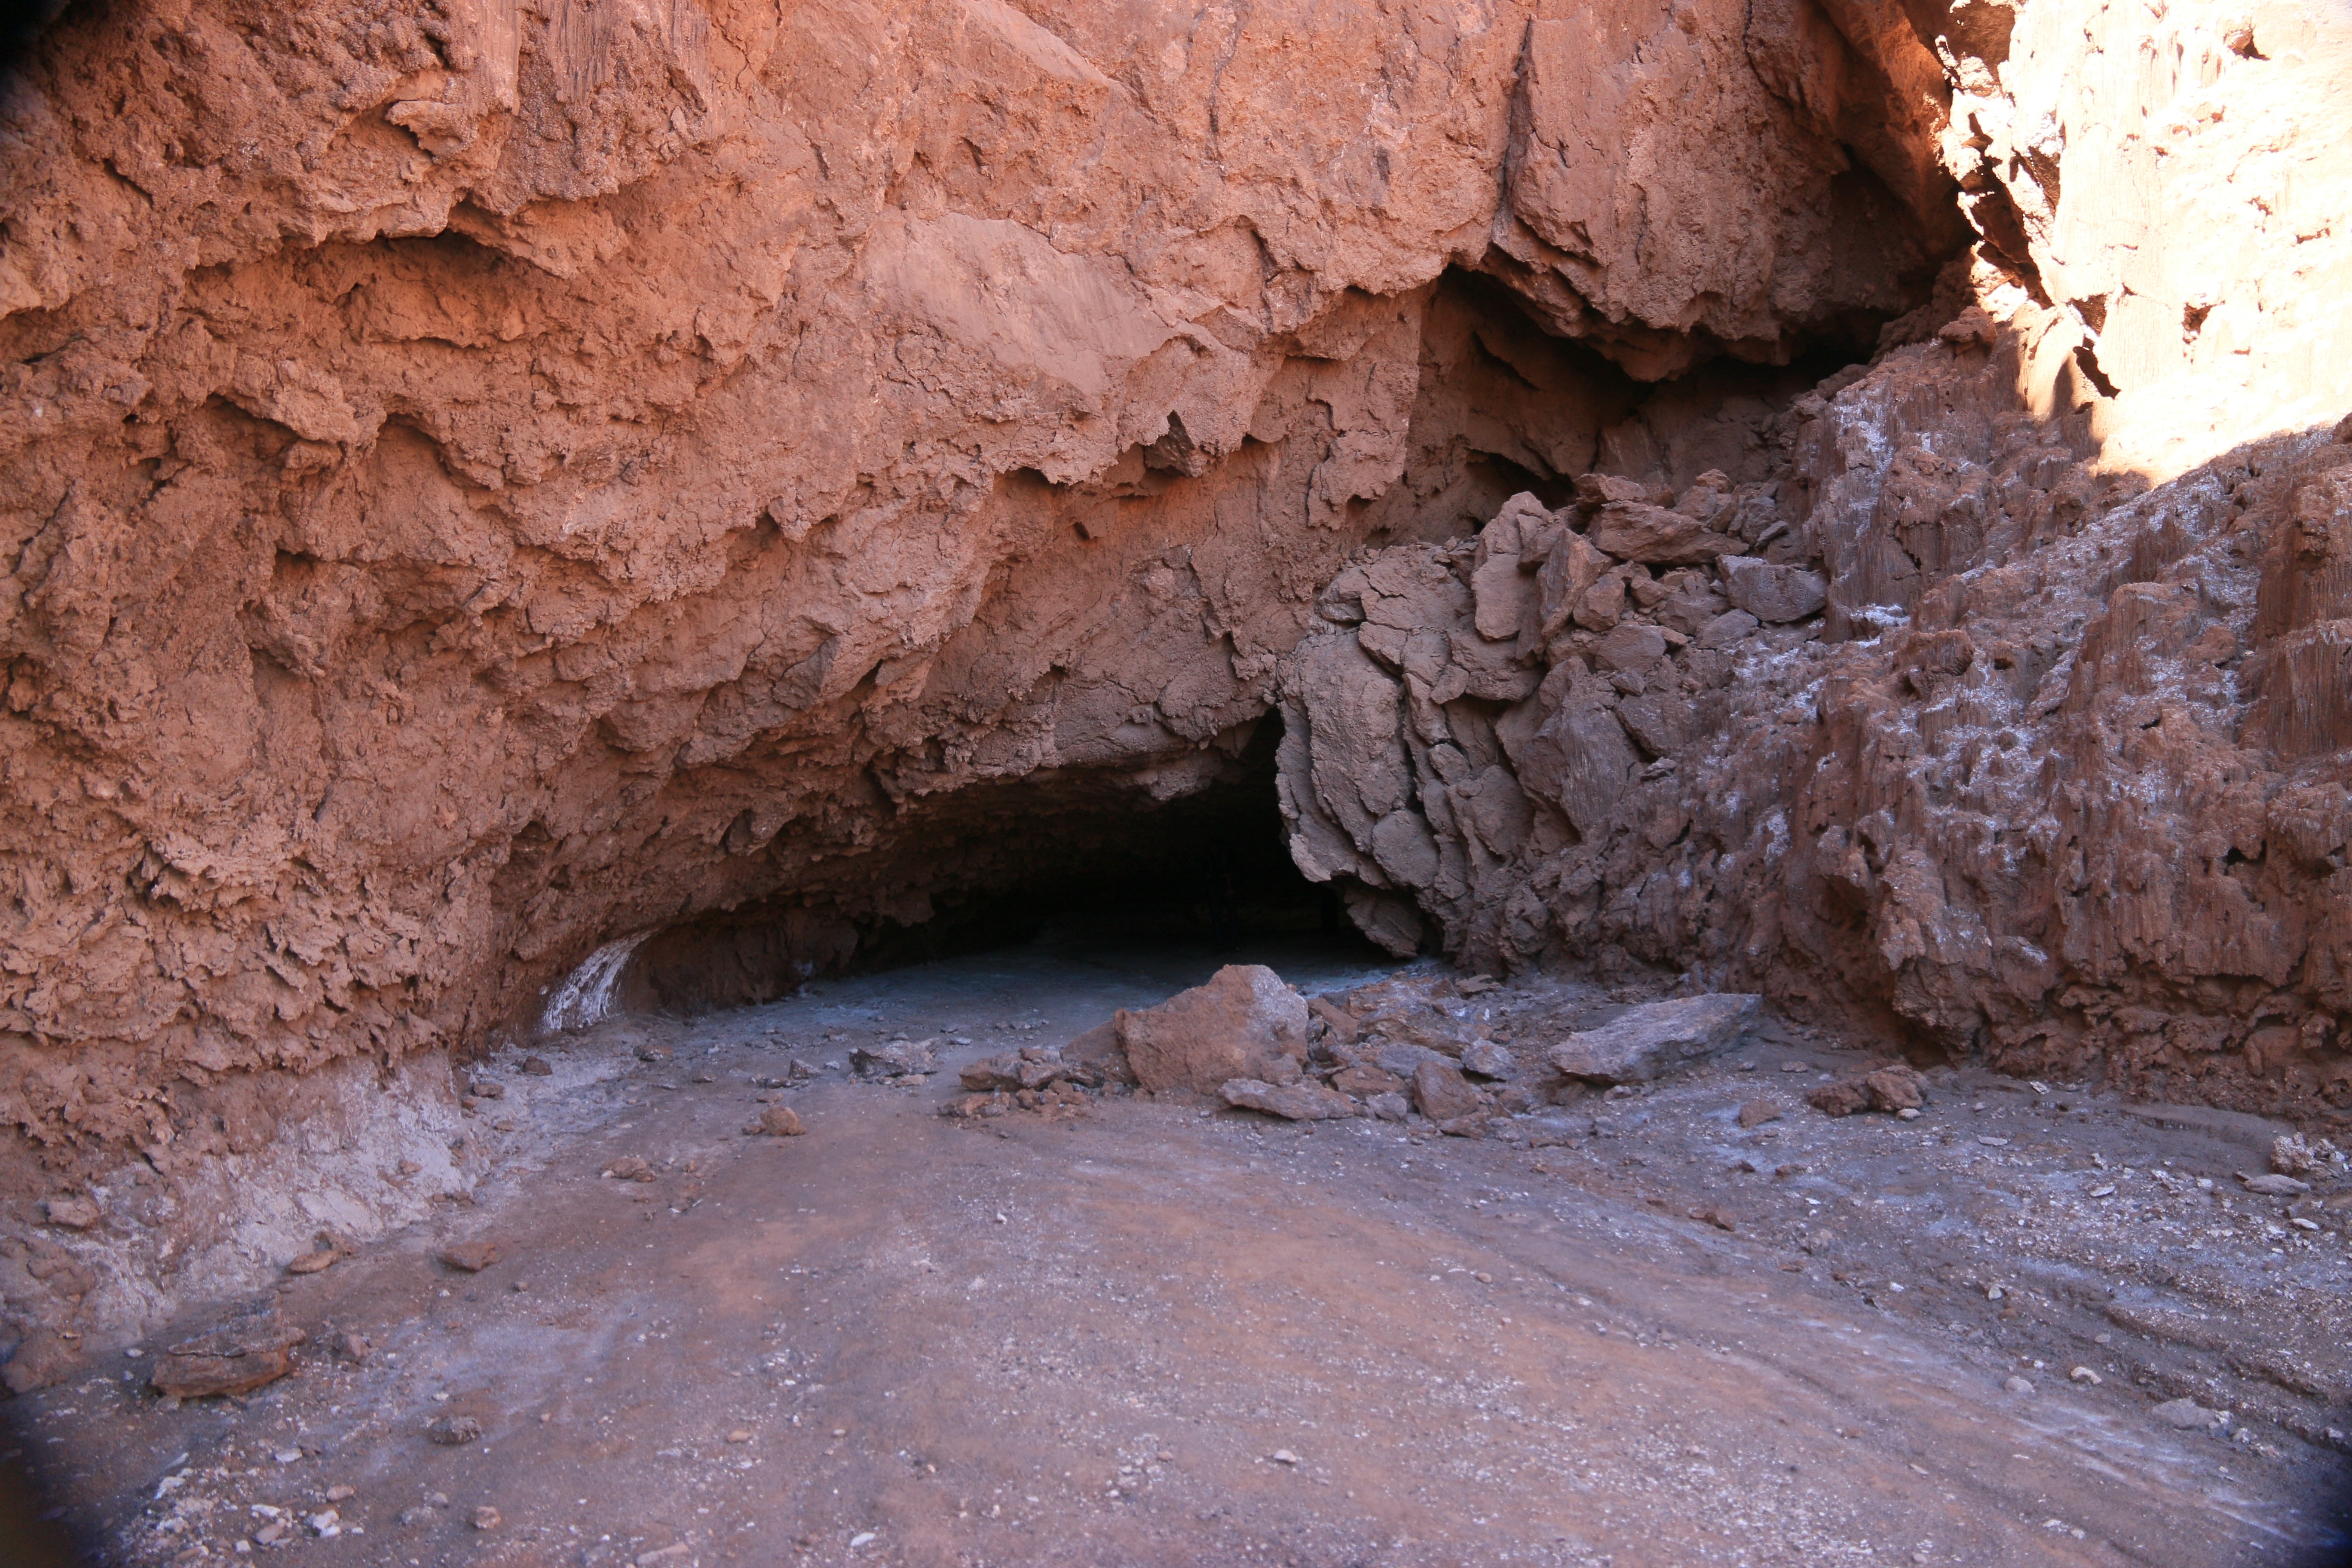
(493,483)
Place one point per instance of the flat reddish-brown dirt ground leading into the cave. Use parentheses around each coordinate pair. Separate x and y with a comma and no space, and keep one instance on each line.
(1172,1334)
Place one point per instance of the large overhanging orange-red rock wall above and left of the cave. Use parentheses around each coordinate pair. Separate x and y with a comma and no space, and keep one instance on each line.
(493,481)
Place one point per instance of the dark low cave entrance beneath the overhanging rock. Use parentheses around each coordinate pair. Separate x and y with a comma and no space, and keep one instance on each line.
(1071,864)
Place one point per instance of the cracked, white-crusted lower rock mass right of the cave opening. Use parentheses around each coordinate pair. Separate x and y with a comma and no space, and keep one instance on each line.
(2054,775)
